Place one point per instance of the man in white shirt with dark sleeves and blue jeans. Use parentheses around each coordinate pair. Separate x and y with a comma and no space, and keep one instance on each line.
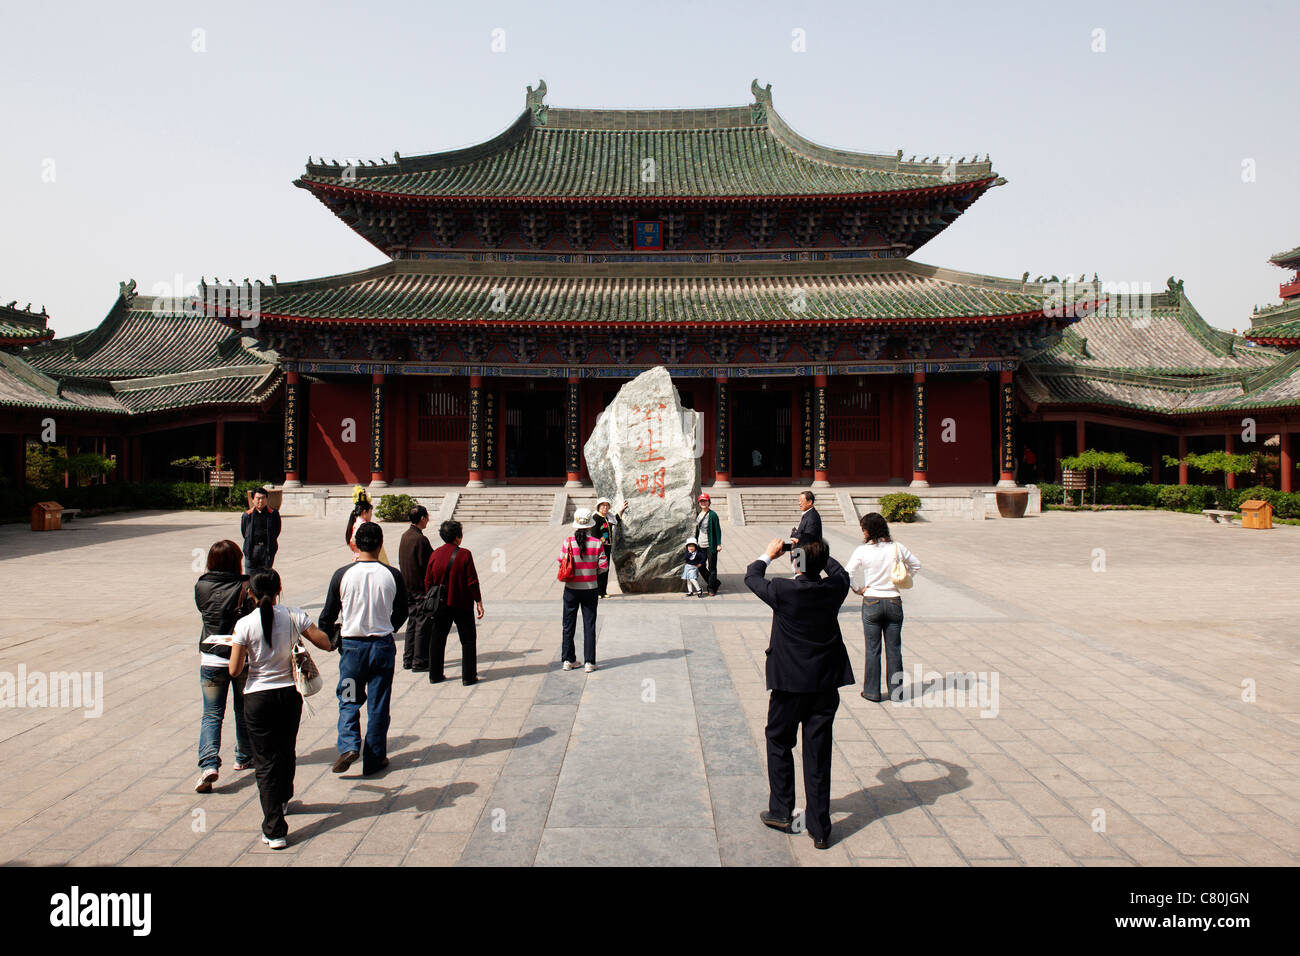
(369,602)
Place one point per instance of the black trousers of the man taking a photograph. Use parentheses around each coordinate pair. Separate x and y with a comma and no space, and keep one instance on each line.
(816,712)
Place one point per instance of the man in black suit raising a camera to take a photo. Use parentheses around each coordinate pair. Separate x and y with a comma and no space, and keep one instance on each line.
(807,665)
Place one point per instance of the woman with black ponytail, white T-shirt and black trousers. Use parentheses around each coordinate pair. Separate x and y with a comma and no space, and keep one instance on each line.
(272,704)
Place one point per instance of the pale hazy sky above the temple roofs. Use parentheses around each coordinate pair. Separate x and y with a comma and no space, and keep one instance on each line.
(172,162)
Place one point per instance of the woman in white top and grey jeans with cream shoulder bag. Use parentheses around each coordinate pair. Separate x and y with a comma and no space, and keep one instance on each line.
(882,604)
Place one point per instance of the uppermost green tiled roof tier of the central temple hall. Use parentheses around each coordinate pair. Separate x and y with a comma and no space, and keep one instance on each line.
(731,153)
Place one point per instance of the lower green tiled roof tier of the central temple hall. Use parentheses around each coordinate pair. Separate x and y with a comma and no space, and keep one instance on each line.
(406,291)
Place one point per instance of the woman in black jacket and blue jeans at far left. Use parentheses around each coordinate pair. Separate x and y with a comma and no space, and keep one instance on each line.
(222,596)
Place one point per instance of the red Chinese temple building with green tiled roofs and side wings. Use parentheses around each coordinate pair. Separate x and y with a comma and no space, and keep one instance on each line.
(526,279)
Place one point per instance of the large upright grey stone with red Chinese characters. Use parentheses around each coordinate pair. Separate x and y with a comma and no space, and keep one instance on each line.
(645,451)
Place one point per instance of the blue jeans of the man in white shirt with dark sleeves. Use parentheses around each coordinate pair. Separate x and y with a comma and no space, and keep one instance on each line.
(366,677)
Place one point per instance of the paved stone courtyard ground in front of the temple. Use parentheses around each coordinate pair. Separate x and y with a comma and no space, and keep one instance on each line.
(1129,698)
